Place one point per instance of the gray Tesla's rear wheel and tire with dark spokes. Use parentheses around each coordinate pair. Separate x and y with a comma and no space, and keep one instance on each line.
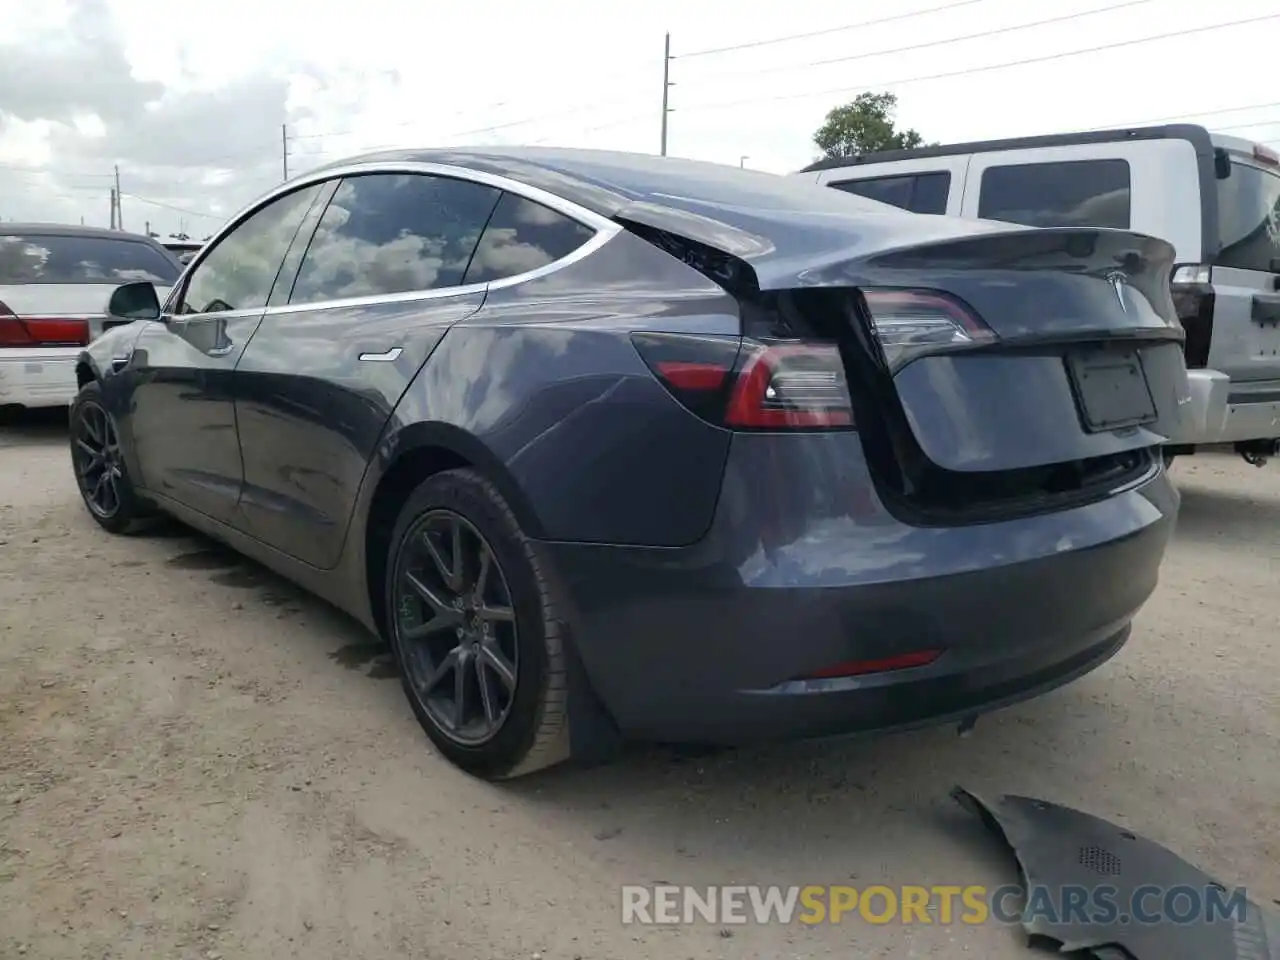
(533,730)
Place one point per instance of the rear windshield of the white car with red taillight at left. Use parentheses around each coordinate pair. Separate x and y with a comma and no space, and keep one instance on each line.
(34,258)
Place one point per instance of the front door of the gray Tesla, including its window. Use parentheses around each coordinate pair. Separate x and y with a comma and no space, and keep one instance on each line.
(182,413)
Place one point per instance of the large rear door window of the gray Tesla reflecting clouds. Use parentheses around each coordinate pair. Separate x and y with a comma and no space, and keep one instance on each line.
(394,234)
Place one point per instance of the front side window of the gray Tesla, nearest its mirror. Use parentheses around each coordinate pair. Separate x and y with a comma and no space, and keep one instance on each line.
(240,272)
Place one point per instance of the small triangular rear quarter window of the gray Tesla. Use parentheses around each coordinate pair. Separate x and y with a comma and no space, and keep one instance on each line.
(524,236)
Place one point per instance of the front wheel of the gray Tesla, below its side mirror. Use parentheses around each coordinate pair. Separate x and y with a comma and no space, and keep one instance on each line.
(102,473)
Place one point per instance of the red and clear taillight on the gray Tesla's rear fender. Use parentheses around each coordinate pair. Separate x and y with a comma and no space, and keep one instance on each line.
(749,385)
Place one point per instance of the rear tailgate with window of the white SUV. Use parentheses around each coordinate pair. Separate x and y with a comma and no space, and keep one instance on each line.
(1246,272)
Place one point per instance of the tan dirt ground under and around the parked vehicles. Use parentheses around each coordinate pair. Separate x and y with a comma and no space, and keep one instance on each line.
(198,761)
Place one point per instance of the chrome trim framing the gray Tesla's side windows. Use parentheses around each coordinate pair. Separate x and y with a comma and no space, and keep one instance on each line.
(605,230)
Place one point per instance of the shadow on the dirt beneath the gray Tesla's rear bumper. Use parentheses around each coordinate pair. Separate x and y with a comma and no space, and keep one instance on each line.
(794,807)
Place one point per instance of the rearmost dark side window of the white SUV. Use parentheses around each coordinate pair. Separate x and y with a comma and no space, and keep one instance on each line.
(1072,194)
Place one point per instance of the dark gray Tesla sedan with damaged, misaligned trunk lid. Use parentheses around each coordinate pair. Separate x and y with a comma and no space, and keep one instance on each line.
(616,447)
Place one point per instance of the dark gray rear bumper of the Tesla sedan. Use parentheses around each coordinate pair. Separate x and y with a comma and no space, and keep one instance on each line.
(706,644)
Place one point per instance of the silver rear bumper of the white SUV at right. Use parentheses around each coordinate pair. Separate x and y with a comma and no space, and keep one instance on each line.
(1226,412)
